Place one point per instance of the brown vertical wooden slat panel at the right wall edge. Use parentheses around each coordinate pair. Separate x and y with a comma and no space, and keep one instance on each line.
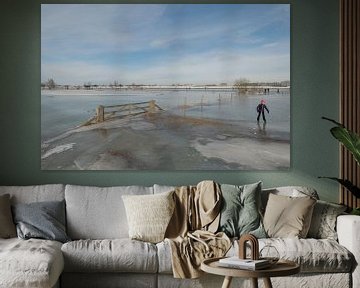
(349,91)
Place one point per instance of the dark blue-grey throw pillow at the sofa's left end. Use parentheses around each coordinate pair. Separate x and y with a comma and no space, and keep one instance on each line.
(44,220)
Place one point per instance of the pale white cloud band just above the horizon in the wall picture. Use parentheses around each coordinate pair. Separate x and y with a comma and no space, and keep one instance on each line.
(210,67)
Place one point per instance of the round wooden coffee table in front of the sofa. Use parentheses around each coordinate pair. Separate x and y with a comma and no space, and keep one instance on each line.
(281,268)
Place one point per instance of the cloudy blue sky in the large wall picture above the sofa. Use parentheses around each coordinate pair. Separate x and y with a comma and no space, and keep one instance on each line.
(164,43)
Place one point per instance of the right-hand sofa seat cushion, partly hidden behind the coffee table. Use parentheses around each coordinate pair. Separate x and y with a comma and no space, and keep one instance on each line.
(313,255)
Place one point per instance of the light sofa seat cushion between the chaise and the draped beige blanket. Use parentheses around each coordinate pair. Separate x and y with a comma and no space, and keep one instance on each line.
(110,255)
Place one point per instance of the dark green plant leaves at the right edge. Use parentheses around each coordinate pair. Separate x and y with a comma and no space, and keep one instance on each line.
(351,141)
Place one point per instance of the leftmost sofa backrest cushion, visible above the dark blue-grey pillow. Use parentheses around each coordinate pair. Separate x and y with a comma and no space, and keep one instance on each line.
(36,193)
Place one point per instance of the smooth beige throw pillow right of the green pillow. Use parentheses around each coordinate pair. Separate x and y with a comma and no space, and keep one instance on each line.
(288,217)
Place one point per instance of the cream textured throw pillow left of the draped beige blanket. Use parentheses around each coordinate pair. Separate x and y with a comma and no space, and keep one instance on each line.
(149,215)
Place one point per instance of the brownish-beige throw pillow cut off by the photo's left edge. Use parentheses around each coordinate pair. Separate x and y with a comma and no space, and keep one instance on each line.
(7,226)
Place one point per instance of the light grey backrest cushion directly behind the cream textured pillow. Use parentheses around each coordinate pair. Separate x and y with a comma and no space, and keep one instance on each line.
(98,212)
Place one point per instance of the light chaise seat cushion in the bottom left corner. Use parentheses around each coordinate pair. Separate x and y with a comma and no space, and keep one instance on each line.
(30,263)
